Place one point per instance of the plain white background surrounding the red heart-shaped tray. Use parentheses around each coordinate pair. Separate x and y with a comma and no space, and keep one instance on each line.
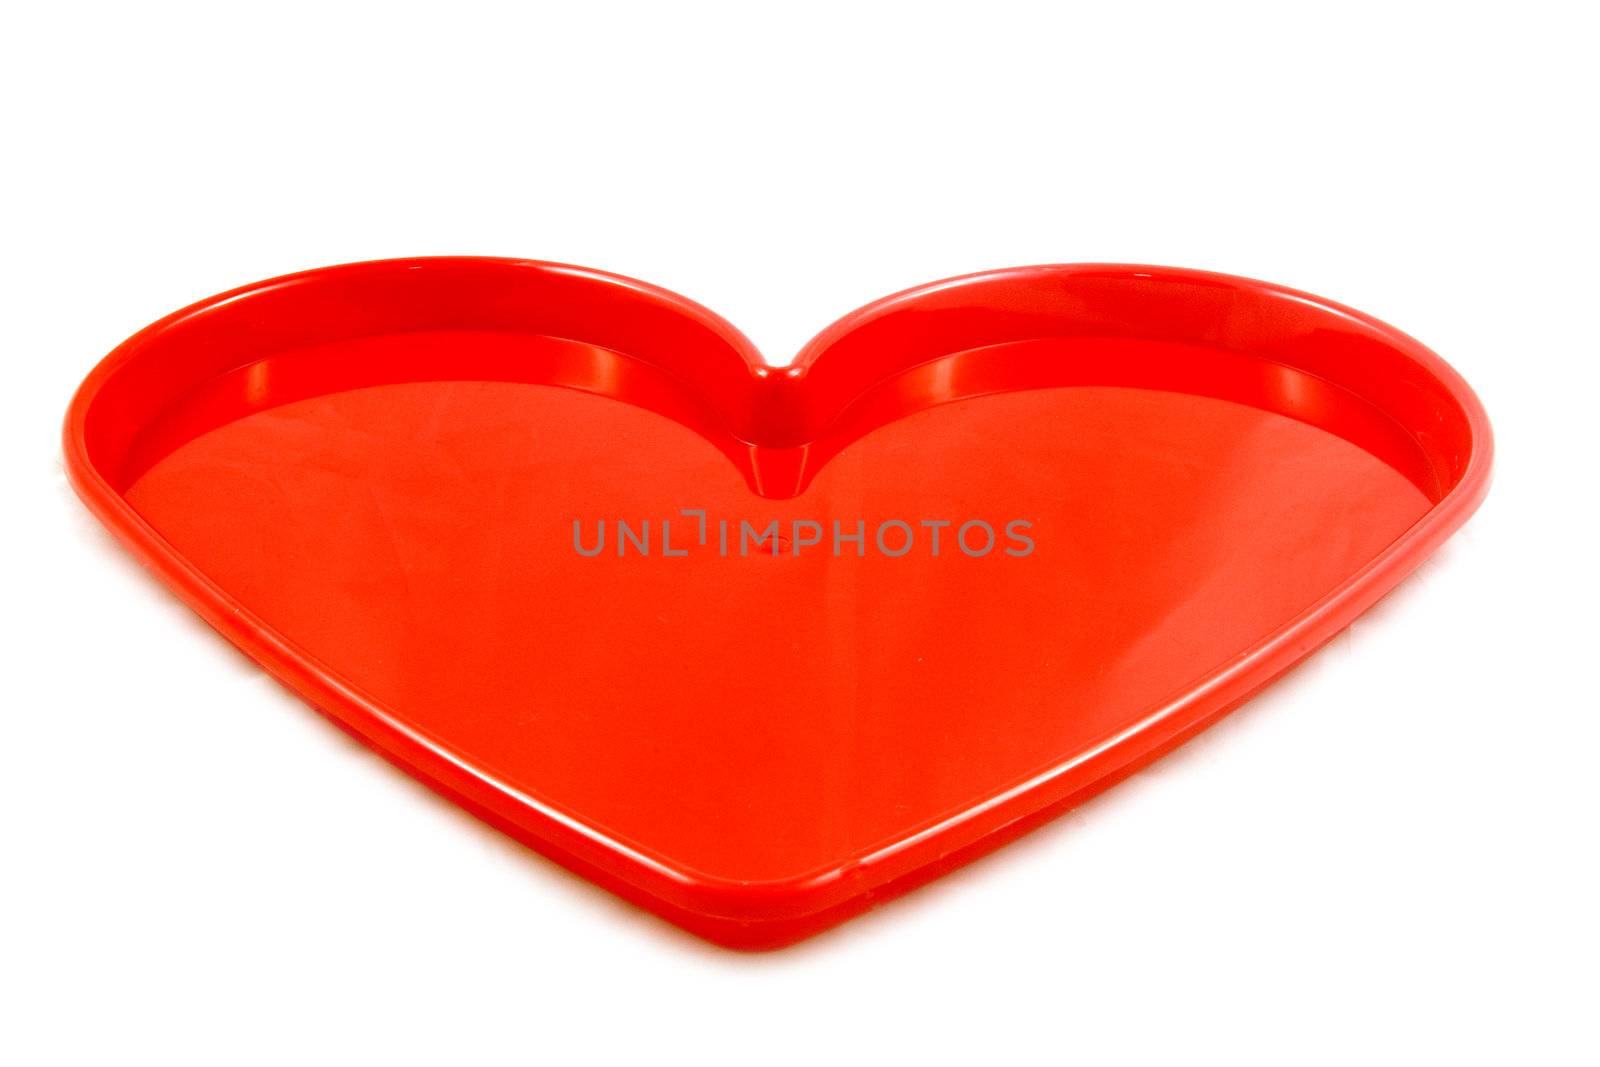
(1390,857)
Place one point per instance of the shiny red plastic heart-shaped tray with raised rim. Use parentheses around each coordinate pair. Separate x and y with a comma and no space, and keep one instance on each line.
(383,482)
